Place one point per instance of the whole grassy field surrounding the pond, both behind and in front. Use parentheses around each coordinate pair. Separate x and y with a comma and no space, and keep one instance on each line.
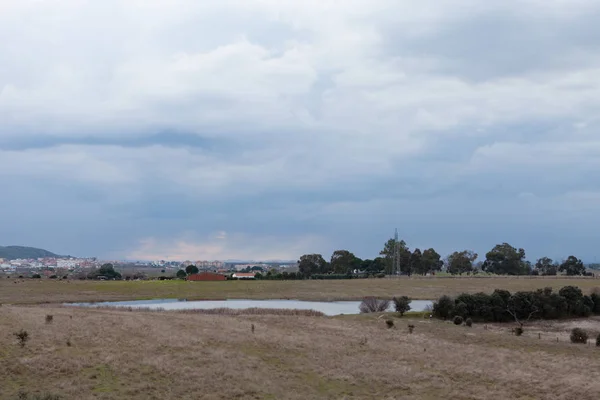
(119,354)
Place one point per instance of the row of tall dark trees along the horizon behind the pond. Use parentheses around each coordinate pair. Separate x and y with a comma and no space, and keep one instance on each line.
(502,259)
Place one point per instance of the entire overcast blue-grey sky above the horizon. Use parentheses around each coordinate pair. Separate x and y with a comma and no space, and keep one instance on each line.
(263,129)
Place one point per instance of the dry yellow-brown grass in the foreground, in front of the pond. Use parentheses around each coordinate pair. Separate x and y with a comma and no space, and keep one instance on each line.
(162,355)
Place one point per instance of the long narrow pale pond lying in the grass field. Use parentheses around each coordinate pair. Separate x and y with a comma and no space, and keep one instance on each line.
(326,307)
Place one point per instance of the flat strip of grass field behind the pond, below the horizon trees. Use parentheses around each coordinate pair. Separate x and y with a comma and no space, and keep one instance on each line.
(33,291)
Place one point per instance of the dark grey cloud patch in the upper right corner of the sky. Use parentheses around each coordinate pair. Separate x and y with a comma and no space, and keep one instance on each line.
(503,42)
